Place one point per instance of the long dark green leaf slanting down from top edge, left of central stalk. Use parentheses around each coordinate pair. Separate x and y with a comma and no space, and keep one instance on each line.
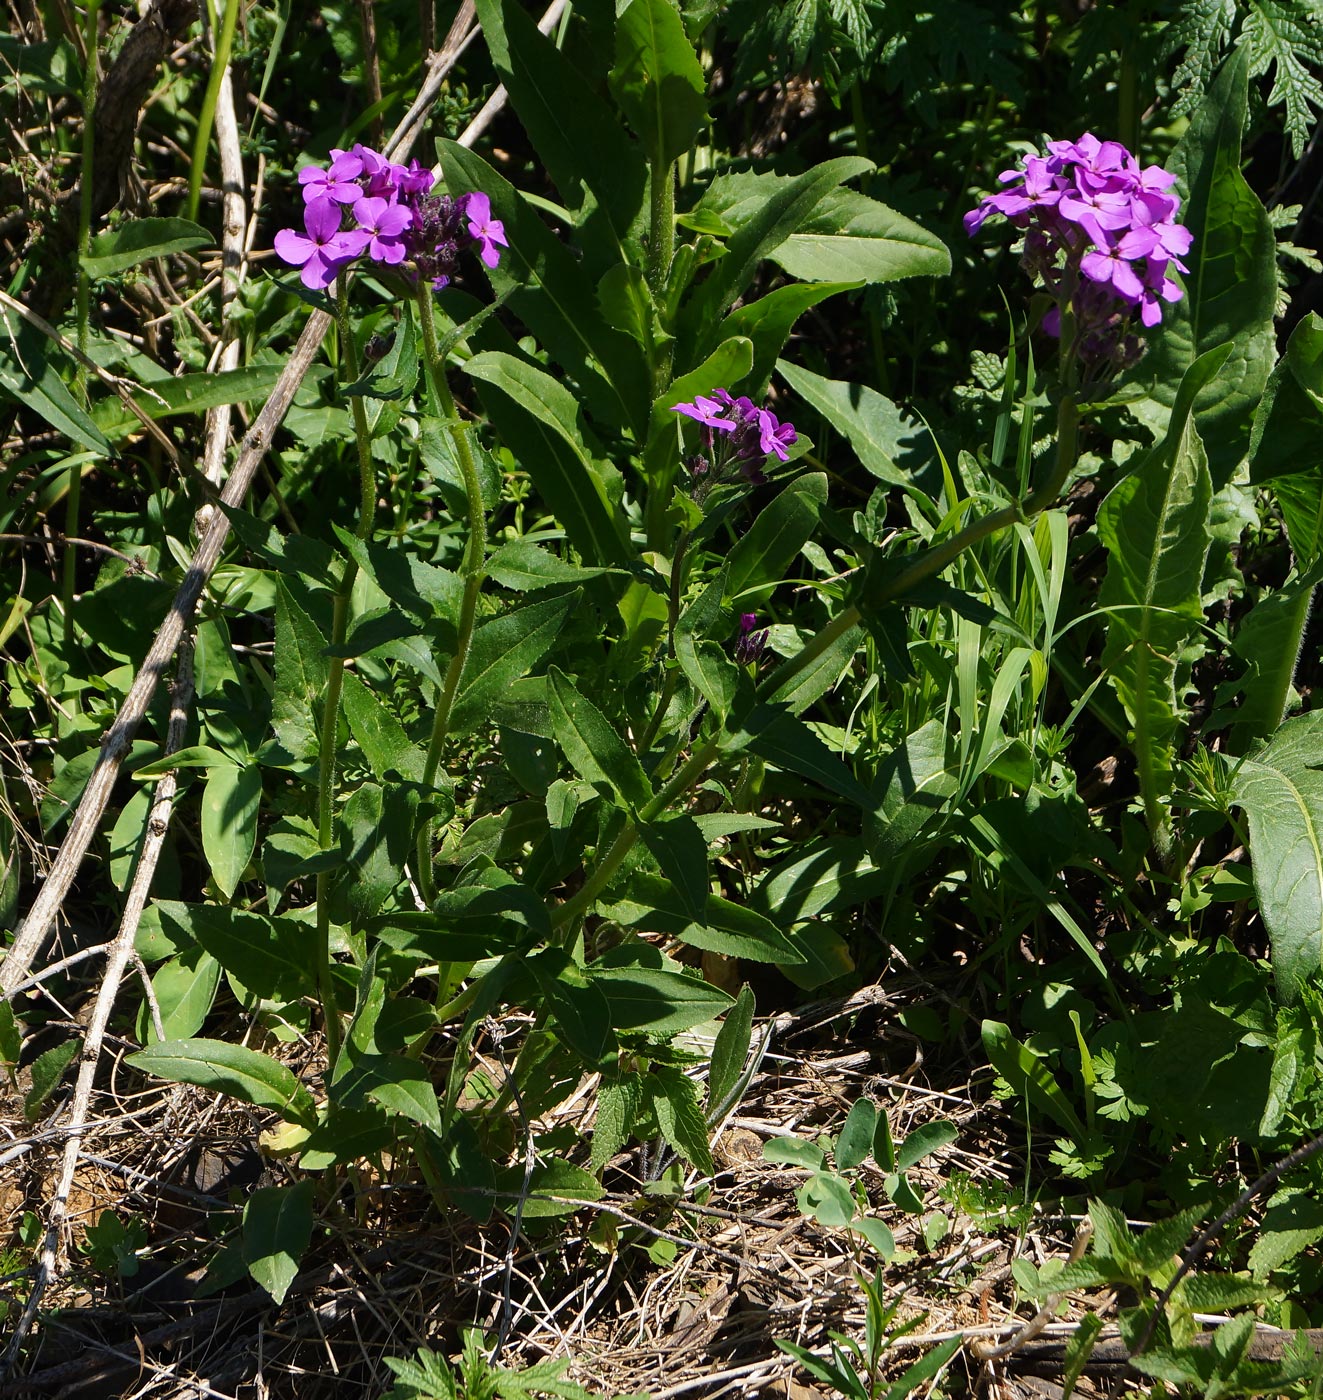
(565,118)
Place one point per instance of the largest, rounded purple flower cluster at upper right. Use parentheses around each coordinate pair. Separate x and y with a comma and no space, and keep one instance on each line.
(1100,232)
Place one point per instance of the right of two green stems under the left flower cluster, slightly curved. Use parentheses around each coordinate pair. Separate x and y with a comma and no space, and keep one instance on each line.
(472,569)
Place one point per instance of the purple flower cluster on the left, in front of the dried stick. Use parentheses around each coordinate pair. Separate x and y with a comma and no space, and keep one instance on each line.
(363,204)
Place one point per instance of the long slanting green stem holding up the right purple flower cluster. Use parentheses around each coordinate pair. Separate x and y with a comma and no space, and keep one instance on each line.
(932,562)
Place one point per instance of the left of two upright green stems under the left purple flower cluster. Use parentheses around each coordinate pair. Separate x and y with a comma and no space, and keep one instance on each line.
(335,674)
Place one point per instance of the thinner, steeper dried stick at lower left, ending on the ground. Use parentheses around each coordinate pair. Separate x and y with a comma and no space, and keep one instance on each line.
(121,957)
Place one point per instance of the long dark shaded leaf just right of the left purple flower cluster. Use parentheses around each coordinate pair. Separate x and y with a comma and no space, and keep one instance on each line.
(555,296)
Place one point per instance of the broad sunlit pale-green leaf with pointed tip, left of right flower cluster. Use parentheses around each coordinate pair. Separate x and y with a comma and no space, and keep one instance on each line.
(850,236)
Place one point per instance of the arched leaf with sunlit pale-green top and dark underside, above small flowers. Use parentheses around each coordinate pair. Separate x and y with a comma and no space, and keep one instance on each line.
(538,418)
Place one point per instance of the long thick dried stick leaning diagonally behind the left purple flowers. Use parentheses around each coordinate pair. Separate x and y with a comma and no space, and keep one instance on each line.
(115,744)
